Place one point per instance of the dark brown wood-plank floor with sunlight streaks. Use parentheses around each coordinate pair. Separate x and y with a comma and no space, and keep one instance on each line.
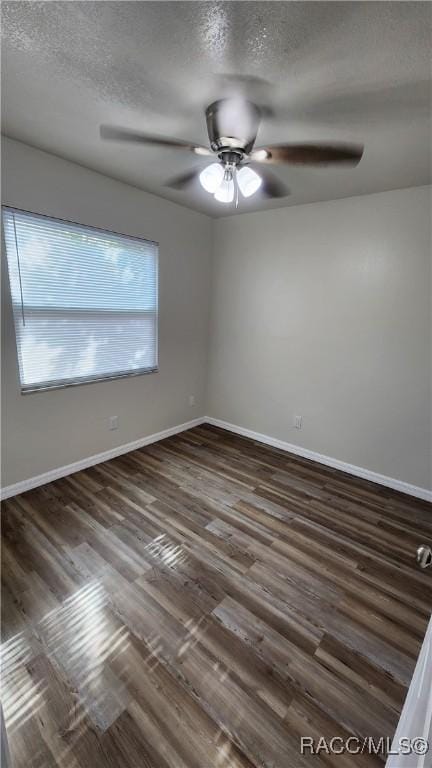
(203,603)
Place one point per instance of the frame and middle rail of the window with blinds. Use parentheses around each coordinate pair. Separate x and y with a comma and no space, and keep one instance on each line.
(45,386)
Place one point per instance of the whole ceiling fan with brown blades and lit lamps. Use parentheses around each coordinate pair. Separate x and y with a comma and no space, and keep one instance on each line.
(232,126)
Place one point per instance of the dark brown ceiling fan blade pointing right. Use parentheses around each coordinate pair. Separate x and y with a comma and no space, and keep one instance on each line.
(309,154)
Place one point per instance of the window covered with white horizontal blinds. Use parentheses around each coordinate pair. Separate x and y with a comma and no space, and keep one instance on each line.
(84,301)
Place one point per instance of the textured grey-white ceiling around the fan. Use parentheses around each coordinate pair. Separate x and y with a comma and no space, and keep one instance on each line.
(355,71)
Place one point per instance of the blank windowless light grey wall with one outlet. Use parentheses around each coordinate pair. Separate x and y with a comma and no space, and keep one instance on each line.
(323,310)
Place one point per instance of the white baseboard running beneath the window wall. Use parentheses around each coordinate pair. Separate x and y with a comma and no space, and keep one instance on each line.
(77,466)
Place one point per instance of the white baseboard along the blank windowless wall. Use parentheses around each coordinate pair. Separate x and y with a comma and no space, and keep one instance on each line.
(351,469)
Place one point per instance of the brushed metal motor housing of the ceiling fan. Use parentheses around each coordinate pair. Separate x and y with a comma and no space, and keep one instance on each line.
(232,125)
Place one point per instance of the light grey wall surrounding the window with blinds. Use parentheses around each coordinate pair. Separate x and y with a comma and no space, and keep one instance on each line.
(46,430)
